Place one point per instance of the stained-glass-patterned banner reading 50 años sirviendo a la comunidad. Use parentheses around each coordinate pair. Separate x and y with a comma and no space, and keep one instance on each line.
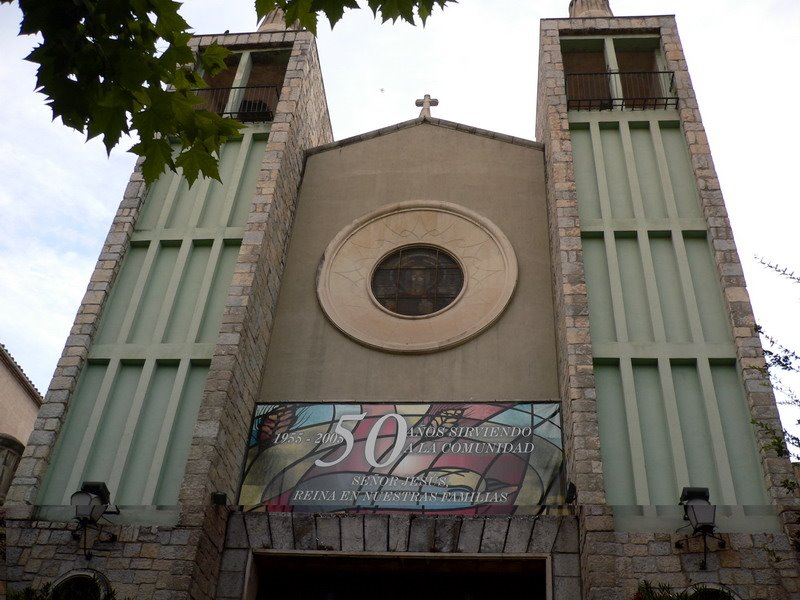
(443,458)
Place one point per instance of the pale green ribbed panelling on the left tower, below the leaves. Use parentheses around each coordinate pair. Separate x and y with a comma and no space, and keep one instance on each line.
(132,415)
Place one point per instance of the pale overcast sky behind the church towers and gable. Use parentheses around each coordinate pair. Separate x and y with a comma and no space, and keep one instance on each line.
(58,194)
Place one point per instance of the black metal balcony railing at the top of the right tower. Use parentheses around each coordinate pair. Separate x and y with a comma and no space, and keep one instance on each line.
(639,90)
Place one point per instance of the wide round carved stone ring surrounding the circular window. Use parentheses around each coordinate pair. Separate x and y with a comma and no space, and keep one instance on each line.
(345,271)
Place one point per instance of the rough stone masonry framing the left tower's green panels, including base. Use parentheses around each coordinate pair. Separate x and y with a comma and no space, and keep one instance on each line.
(182,561)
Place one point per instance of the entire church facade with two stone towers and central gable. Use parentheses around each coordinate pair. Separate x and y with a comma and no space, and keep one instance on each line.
(430,360)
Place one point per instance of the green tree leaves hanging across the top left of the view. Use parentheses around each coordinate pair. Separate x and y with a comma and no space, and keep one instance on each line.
(118,68)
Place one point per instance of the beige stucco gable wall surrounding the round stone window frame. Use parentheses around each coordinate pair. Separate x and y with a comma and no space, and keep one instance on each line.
(514,359)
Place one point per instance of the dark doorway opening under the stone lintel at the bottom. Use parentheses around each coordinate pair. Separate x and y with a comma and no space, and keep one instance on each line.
(399,577)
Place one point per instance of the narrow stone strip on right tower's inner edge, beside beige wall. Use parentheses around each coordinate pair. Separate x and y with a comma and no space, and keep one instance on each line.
(576,373)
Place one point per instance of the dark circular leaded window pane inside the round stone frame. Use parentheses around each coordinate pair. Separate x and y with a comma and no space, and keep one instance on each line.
(417,280)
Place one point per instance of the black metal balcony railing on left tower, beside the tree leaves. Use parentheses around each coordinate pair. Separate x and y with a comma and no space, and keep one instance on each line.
(244,103)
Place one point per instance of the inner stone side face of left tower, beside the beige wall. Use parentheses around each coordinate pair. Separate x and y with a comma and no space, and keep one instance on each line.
(218,446)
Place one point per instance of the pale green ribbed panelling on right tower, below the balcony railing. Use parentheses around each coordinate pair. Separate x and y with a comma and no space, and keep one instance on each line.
(670,401)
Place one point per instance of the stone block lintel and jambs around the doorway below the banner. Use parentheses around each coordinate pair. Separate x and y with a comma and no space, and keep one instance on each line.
(556,537)
